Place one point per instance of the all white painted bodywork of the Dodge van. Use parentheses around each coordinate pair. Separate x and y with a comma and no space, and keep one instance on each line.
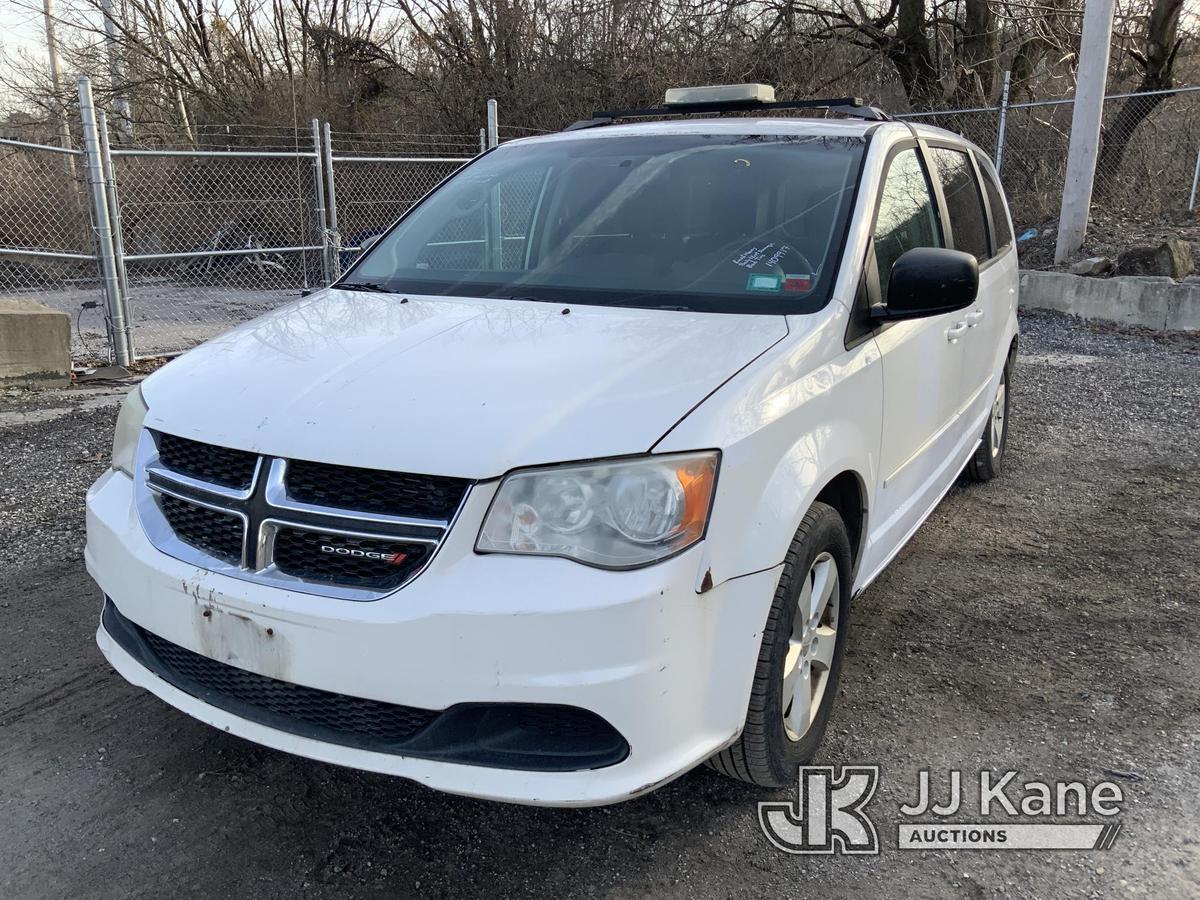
(476,388)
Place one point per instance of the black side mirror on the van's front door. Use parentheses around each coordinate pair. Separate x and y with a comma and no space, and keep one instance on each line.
(929,281)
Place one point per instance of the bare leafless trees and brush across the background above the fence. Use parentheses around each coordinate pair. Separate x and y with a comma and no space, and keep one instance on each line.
(430,65)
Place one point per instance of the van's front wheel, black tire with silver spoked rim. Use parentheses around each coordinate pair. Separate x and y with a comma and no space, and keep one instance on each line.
(770,751)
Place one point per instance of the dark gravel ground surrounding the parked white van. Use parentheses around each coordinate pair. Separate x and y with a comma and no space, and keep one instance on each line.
(1047,622)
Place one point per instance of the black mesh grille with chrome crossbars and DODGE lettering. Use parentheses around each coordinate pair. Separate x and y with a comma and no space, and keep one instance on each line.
(325,532)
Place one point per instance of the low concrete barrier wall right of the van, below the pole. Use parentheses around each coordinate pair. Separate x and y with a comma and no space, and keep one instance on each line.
(1150,302)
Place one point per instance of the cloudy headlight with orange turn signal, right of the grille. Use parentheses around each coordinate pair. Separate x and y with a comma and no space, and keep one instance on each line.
(616,515)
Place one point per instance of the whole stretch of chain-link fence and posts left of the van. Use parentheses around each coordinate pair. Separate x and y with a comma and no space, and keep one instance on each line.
(202,237)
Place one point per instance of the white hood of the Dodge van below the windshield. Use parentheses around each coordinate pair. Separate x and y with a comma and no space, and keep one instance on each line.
(452,387)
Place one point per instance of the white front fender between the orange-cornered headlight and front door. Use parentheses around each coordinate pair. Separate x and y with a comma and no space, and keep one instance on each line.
(788,427)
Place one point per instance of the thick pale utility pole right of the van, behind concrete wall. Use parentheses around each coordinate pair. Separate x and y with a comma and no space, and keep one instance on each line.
(1085,128)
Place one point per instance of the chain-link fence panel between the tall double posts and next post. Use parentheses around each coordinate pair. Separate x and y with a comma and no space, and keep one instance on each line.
(214,238)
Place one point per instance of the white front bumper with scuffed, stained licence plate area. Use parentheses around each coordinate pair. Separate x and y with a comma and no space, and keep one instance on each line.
(668,668)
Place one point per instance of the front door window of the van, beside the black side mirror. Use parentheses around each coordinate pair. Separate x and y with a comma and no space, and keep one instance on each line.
(908,217)
